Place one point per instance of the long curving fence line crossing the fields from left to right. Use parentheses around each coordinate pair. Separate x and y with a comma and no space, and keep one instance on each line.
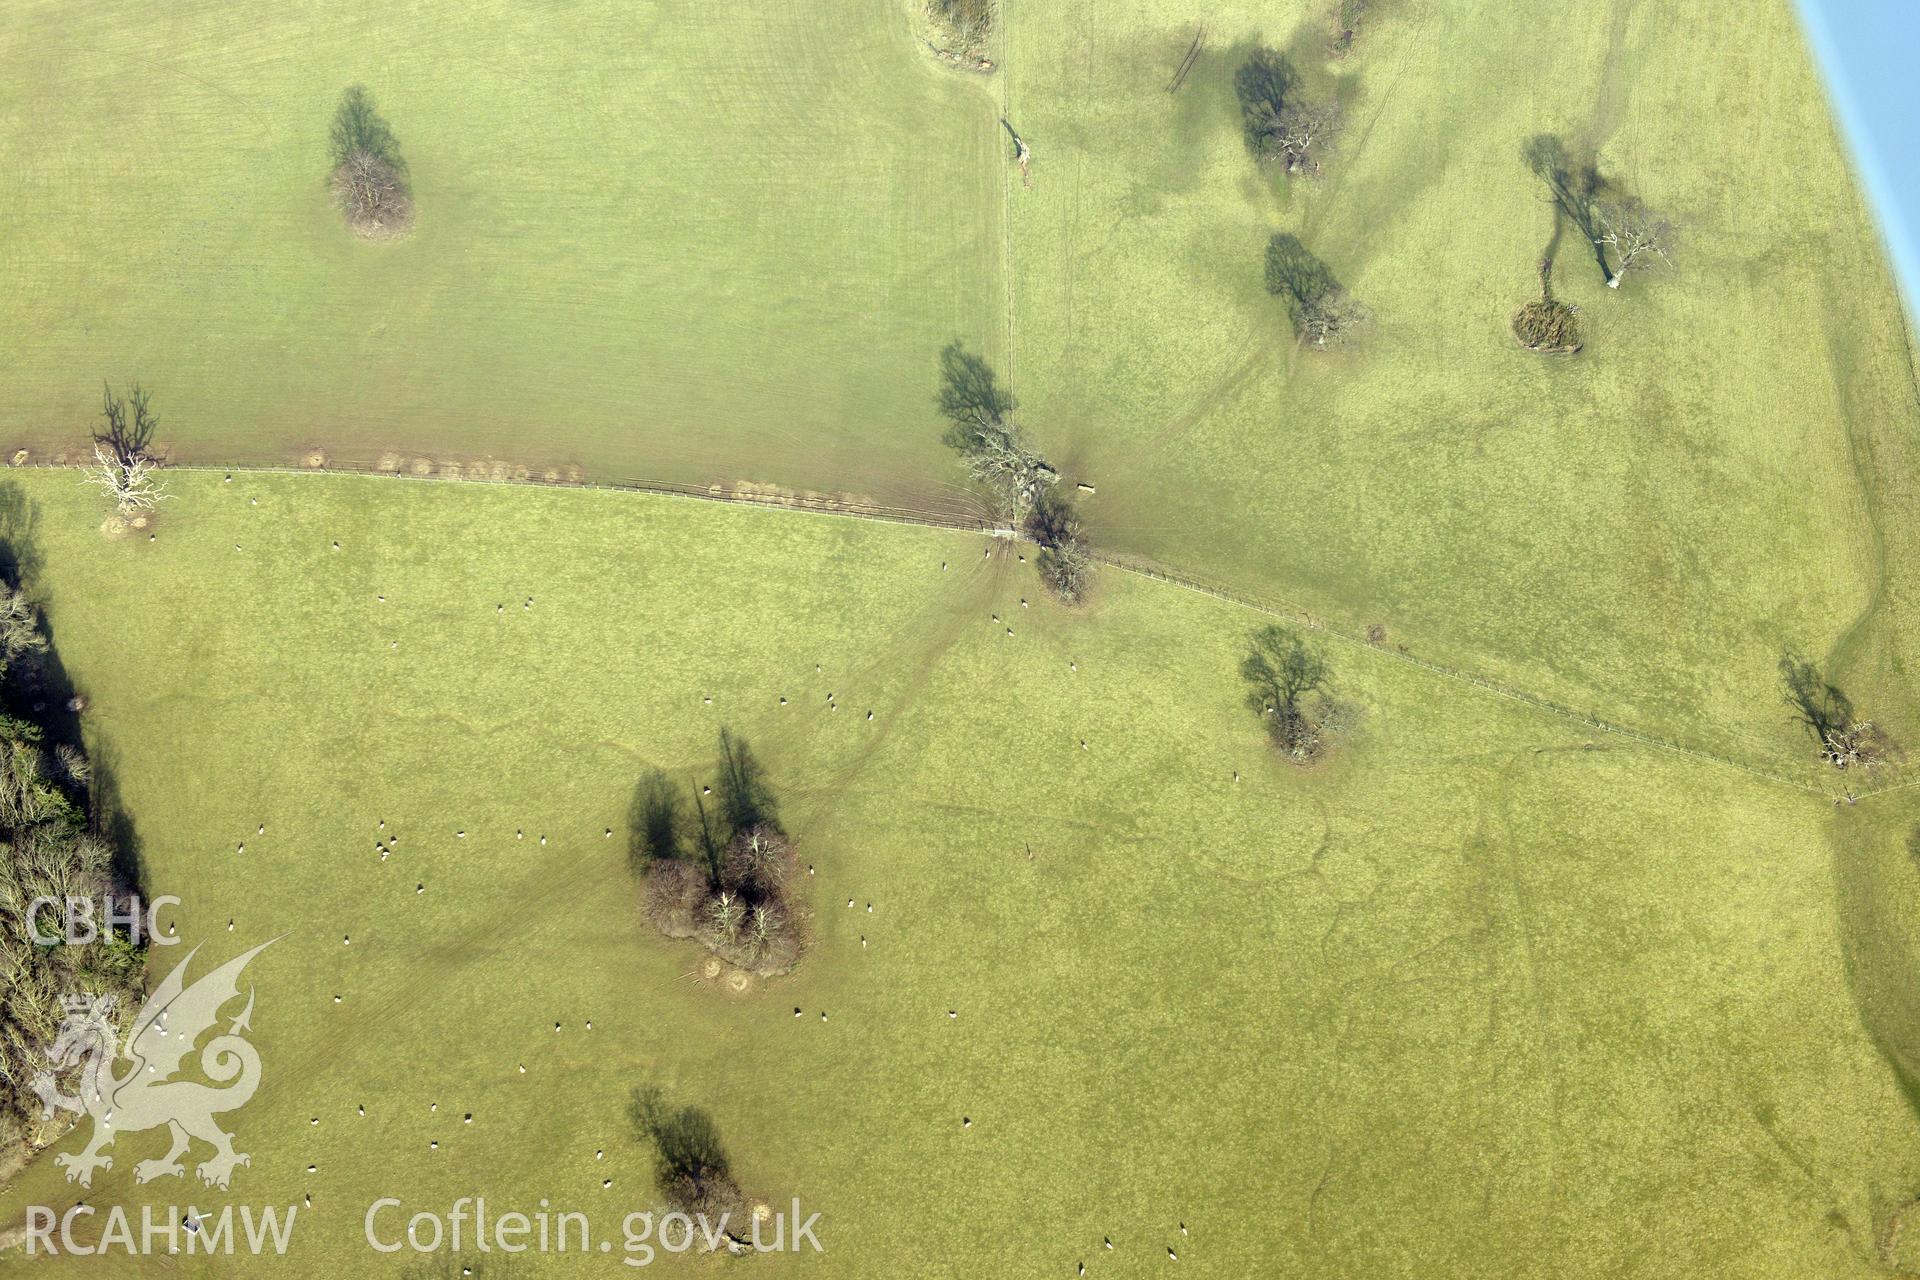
(842,508)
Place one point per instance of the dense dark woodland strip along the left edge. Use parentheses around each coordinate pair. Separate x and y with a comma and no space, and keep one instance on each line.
(49,847)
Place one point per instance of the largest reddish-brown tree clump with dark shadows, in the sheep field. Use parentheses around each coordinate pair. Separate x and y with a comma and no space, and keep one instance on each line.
(719,866)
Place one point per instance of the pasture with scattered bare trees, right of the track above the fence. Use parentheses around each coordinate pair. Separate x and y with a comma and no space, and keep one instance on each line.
(1727,467)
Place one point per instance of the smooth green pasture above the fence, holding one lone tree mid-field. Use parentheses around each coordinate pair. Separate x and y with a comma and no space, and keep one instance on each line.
(665,239)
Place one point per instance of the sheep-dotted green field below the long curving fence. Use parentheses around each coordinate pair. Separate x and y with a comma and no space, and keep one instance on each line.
(1472,999)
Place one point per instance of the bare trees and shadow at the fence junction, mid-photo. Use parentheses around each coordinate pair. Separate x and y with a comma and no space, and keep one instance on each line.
(1024,485)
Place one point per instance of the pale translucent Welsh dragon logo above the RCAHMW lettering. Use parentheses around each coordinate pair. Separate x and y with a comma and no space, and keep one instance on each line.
(147,1095)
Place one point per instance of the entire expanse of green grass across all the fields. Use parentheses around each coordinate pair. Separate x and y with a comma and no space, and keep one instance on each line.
(1487,993)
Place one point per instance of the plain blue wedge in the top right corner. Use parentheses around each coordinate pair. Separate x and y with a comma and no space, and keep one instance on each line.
(1869,55)
